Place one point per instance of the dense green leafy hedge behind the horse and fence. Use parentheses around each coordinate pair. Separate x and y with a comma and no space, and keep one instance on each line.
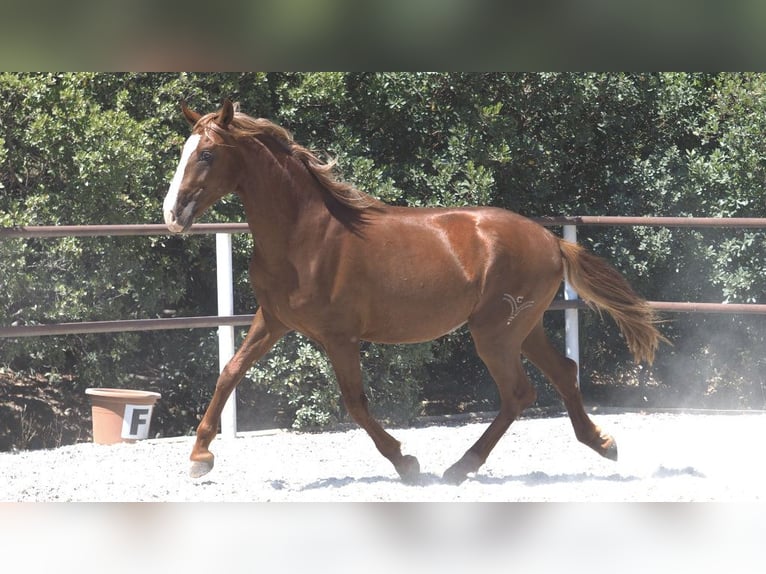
(100,148)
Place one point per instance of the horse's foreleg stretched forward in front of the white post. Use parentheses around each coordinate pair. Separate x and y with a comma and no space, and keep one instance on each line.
(260,338)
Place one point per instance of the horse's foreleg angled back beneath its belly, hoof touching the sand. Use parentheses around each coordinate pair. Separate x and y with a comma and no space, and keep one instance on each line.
(345,361)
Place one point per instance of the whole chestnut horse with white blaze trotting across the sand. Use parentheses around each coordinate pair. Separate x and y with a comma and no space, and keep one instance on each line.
(341,267)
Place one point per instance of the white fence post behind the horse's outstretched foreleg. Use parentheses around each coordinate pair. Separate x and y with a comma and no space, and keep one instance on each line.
(226,333)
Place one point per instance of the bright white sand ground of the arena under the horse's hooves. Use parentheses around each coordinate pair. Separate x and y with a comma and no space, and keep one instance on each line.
(663,457)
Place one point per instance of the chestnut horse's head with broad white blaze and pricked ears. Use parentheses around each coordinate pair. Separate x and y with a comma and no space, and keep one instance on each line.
(207,170)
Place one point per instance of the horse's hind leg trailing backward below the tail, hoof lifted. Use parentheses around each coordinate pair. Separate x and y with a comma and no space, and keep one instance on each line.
(562,372)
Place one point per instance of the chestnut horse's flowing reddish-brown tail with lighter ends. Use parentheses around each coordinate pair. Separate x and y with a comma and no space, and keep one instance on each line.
(602,286)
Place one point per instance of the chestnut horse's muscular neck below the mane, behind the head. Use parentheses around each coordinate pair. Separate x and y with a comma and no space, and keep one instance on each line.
(283,202)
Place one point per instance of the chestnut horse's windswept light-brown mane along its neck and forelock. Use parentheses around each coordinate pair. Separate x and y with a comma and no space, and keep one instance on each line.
(244,126)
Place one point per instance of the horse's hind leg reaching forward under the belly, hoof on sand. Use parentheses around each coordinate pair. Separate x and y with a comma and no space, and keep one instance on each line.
(503,359)
